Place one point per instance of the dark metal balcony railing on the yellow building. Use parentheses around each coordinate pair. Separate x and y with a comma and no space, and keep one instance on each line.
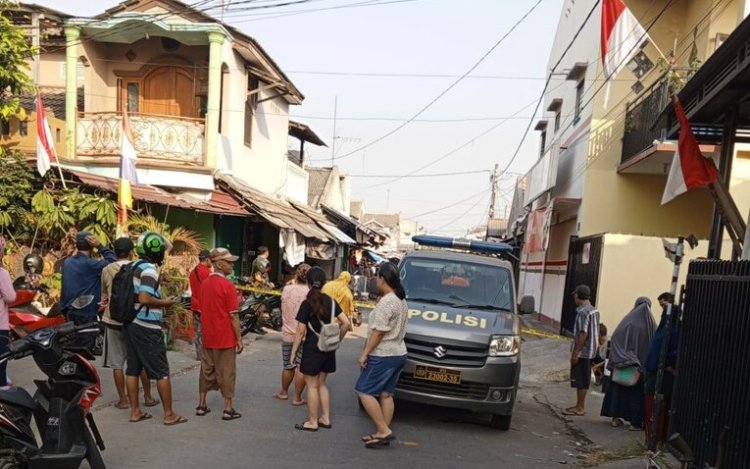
(640,117)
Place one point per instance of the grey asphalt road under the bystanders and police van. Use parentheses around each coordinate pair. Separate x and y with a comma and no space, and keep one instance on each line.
(265,435)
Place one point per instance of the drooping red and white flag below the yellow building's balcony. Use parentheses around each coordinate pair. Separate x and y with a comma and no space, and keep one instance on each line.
(690,169)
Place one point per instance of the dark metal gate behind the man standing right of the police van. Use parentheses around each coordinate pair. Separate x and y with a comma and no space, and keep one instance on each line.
(584,260)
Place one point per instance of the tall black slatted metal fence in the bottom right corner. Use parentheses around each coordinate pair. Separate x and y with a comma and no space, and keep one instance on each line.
(712,393)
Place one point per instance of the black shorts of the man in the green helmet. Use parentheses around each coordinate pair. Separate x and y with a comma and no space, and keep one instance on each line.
(147,351)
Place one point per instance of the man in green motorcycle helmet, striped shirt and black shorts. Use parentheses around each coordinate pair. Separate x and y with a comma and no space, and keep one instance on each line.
(146,349)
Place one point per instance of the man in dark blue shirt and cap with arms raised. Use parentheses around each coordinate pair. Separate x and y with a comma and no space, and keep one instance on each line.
(82,275)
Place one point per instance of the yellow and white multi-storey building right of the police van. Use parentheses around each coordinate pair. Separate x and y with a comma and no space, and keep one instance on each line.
(589,210)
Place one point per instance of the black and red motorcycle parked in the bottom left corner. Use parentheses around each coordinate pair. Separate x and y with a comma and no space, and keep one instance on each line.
(61,406)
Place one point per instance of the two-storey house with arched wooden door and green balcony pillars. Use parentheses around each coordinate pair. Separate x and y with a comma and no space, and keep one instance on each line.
(209,111)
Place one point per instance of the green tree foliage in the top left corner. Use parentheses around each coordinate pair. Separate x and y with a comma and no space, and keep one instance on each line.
(15,48)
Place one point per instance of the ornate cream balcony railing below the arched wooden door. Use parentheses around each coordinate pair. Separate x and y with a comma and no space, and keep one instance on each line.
(172,139)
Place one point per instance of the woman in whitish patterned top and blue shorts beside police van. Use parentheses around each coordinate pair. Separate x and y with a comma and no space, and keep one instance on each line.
(384,355)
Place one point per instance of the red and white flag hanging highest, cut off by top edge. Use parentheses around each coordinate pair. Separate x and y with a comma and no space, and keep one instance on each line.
(622,36)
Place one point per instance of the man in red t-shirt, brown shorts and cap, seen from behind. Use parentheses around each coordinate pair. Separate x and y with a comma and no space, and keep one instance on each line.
(222,340)
